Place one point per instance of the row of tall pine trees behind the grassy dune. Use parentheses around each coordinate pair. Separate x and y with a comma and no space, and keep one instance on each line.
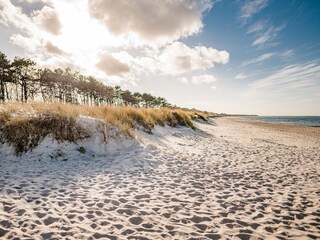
(21,81)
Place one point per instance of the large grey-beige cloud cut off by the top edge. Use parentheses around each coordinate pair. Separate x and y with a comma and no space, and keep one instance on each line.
(155,21)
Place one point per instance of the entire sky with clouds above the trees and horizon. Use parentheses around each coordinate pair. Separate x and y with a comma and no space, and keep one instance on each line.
(242,56)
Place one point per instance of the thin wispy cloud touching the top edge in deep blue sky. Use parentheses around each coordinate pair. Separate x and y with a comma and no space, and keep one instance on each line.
(251,7)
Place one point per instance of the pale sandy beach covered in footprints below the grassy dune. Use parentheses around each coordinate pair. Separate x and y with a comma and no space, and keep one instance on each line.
(230,179)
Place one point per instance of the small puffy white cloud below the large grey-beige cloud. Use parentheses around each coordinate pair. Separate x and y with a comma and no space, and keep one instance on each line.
(178,58)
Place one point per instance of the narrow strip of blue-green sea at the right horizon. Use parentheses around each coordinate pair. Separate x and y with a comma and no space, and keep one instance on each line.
(311,121)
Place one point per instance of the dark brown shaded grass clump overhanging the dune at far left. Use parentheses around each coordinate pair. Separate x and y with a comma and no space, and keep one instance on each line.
(26,132)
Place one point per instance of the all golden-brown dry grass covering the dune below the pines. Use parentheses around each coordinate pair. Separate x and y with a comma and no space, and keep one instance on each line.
(24,126)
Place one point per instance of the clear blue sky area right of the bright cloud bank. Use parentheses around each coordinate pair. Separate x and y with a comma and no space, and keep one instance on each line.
(292,30)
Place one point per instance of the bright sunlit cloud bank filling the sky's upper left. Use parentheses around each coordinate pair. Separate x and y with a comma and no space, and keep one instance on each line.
(123,39)
